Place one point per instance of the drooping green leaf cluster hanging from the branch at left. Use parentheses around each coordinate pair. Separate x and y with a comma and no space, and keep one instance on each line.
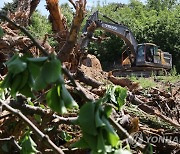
(27,75)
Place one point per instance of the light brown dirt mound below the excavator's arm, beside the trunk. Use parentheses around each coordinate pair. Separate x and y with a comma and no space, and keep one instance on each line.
(91,66)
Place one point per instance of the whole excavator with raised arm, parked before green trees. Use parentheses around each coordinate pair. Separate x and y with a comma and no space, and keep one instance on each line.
(137,59)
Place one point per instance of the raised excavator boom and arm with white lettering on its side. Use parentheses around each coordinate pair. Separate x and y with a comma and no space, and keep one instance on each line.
(122,31)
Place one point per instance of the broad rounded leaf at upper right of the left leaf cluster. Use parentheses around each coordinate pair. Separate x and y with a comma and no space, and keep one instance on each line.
(51,71)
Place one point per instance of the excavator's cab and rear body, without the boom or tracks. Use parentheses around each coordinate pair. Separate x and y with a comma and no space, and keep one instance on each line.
(147,55)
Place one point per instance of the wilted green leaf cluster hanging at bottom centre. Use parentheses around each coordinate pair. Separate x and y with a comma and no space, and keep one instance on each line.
(98,134)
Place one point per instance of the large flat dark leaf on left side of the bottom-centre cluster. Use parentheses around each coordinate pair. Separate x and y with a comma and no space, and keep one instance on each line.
(87,118)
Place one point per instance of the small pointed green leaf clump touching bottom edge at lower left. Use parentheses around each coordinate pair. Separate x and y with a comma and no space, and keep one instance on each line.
(28,145)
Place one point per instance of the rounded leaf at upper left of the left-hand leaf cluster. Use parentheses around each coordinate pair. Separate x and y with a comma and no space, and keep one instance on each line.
(16,66)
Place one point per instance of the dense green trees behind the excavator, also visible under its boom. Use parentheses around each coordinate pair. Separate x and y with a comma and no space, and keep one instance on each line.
(155,22)
